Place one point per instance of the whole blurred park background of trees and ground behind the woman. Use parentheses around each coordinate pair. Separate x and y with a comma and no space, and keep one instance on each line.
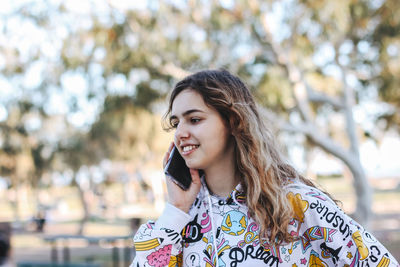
(83,87)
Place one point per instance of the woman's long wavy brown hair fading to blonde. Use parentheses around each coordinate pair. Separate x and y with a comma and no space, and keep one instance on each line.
(261,166)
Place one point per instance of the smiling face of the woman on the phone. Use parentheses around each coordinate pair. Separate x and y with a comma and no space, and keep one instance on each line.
(200,133)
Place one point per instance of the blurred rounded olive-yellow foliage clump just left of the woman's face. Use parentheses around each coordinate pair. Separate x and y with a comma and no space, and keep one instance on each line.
(124,130)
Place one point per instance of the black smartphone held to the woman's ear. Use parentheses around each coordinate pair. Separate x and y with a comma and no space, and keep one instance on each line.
(176,169)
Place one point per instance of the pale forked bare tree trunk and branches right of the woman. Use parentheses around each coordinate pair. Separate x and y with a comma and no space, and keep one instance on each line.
(304,94)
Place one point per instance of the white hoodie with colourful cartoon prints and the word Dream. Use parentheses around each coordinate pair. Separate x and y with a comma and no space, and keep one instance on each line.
(325,237)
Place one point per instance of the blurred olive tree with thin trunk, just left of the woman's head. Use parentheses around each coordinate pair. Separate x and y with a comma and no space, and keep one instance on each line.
(123,132)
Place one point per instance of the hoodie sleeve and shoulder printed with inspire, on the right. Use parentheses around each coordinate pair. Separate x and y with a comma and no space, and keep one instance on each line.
(324,229)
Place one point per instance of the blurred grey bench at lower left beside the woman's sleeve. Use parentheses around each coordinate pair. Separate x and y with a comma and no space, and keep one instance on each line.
(62,243)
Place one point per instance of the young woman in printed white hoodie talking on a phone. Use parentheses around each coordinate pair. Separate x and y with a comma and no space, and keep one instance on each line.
(248,207)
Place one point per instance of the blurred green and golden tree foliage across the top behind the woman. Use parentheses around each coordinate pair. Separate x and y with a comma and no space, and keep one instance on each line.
(153,48)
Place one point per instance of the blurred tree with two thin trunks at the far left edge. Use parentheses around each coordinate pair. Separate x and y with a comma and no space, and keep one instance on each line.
(26,151)
